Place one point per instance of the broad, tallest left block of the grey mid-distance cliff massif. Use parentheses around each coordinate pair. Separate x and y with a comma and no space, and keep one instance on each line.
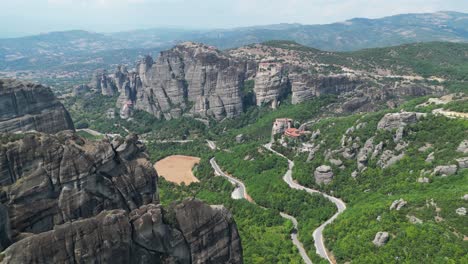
(189,78)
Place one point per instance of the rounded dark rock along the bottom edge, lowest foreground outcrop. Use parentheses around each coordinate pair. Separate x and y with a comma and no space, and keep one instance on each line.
(141,236)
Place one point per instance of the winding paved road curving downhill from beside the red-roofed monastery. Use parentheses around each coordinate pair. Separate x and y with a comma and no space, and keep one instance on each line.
(340,205)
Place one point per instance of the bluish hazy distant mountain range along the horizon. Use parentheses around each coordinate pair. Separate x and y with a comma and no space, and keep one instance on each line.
(74,49)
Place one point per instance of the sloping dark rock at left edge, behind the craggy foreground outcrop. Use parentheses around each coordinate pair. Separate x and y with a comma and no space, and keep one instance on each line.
(28,106)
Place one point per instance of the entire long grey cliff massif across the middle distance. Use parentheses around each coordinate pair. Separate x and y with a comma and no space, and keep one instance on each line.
(198,80)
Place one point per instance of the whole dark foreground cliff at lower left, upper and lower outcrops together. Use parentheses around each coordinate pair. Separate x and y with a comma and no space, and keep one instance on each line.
(65,199)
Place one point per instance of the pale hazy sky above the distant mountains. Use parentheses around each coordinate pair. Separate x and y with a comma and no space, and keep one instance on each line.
(22,17)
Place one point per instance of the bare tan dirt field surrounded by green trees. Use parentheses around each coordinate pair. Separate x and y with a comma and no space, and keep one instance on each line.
(177,169)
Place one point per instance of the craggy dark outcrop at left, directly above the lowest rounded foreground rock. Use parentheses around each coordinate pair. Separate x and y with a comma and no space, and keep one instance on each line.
(65,177)
